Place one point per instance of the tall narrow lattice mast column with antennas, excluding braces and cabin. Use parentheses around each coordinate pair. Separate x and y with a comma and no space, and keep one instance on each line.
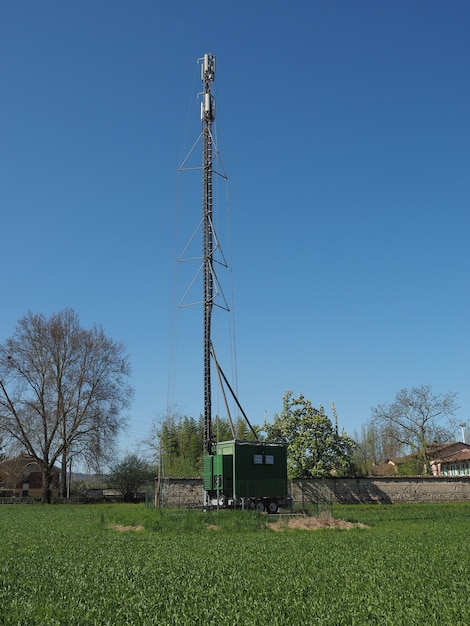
(207,117)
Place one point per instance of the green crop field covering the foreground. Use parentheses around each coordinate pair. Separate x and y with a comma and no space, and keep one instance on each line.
(125,564)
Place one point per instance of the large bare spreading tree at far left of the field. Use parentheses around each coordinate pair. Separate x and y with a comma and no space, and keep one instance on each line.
(62,391)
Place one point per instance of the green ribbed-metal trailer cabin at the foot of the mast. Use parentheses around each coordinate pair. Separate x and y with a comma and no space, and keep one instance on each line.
(247,474)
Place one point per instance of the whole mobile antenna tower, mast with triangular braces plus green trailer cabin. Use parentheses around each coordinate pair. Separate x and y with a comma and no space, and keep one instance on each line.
(246,473)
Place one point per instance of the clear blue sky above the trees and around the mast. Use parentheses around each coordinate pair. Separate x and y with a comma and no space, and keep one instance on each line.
(346,139)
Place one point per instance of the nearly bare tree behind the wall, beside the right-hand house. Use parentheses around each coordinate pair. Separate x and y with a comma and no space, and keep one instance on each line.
(416,418)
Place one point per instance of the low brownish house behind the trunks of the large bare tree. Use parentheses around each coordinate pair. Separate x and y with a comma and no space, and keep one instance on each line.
(21,476)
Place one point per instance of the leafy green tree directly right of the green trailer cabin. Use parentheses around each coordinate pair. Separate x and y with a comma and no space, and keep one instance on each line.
(314,446)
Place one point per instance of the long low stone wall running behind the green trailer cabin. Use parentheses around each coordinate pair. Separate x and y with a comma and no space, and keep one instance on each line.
(188,492)
